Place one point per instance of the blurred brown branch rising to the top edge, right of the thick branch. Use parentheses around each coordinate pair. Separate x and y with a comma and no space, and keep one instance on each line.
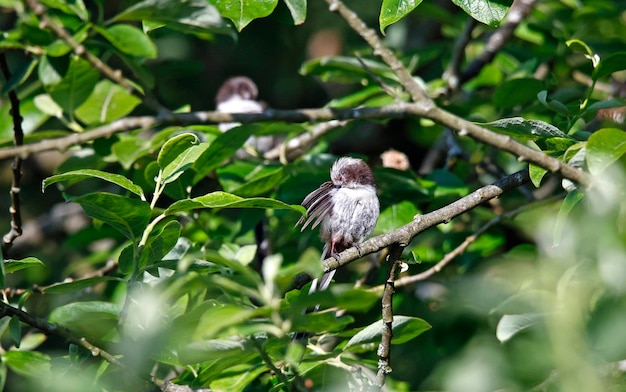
(519,10)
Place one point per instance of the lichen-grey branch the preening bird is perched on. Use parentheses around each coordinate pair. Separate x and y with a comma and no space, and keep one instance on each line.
(405,234)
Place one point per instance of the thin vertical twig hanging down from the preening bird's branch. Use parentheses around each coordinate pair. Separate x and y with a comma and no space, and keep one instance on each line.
(384,349)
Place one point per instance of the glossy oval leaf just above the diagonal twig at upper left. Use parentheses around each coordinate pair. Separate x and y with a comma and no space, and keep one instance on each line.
(129,39)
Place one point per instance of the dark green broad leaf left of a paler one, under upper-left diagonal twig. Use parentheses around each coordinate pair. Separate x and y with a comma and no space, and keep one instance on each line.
(76,85)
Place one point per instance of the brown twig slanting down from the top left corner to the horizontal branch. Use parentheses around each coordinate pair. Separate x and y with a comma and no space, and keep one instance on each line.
(80,50)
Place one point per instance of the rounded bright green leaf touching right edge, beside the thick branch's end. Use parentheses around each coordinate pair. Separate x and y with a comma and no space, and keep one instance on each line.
(604,147)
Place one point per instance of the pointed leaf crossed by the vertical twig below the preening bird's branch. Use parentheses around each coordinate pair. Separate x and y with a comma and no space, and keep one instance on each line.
(404,328)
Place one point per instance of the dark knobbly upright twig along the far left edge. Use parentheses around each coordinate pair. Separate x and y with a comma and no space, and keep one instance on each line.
(16,166)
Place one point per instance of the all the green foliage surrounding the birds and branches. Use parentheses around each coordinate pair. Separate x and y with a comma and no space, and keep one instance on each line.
(170,274)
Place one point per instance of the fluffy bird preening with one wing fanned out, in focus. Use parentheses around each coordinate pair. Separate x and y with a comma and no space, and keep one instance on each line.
(347,208)
